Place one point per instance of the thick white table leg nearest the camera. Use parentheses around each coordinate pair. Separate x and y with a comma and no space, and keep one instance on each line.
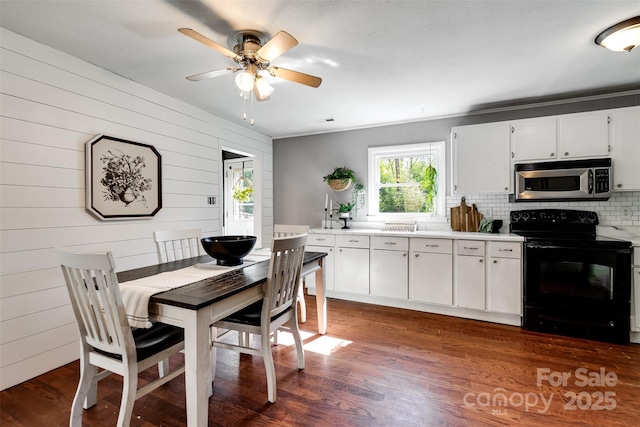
(197,366)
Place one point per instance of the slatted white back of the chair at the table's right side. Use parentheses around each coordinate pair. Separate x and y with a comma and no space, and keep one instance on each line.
(283,280)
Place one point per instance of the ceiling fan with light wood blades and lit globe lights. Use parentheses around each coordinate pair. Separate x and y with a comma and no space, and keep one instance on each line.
(254,56)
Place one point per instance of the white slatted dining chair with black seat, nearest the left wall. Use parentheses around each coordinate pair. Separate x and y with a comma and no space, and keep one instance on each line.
(107,343)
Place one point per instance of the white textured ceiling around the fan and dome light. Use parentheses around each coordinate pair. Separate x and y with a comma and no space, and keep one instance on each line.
(380,61)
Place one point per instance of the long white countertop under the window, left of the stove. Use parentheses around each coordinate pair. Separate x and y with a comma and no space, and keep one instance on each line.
(436,234)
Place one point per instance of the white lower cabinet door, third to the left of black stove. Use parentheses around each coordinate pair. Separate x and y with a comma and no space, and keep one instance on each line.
(431,278)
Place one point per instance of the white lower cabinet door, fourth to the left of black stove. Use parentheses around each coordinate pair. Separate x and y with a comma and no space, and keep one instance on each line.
(389,273)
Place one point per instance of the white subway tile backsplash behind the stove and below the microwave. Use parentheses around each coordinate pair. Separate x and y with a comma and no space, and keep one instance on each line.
(610,212)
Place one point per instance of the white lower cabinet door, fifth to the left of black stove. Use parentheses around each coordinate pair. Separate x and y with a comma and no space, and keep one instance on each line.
(352,270)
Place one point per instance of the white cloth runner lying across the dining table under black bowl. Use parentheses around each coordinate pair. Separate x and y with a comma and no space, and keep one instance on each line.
(136,293)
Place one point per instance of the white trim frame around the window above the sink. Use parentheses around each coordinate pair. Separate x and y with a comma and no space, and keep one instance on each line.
(373,198)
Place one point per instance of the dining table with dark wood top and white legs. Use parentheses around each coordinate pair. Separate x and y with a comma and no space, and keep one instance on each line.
(197,305)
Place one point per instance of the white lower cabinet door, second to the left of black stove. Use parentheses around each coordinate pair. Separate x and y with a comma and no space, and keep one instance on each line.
(470,282)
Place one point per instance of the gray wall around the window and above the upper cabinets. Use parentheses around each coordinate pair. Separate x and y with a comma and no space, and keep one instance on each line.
(301,162)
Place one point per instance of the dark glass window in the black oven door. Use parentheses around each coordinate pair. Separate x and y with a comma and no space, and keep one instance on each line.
(576,279)
